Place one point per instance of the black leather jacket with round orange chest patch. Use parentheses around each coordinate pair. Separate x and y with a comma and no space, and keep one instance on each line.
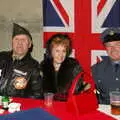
(27,67)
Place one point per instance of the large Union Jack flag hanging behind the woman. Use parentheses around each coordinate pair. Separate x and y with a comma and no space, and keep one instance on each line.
(83,20)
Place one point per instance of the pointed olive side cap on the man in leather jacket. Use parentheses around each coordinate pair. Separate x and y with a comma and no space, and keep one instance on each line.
(17,30)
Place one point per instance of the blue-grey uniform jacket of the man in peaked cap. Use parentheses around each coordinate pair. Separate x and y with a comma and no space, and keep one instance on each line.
(106,79)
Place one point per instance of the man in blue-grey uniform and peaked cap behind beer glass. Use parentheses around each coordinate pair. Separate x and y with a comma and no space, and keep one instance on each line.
(107,73)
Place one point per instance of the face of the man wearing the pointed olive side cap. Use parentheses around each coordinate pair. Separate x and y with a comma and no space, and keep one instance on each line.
(21,44)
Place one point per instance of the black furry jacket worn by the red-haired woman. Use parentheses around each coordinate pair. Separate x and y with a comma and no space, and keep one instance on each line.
(61,81)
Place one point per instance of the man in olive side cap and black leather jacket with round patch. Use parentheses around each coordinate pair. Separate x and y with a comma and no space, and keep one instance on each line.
(19,72)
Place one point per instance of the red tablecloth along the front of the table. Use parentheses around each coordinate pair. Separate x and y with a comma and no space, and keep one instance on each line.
(60,110)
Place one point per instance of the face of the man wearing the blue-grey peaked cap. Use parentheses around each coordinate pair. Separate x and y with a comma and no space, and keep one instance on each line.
(113,50)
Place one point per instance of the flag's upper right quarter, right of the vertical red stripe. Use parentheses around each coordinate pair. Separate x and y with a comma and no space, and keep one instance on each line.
(105,13)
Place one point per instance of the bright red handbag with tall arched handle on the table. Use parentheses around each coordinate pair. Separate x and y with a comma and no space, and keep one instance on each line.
(83,102)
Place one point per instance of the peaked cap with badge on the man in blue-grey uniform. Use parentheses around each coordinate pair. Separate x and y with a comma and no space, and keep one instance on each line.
(110,34)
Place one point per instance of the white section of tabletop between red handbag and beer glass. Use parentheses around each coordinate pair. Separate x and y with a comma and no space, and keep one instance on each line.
(106,109)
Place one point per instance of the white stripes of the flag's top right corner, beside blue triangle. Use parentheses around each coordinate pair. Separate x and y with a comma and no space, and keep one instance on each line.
(98,20)
